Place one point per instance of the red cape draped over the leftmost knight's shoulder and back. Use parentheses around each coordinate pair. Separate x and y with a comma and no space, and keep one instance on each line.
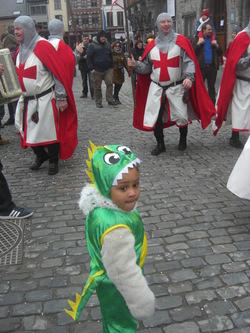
(62,64)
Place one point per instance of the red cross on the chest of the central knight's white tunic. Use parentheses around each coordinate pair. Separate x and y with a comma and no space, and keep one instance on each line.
(164,63)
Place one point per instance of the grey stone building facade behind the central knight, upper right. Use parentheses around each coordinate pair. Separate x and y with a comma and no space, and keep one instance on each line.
(224,13)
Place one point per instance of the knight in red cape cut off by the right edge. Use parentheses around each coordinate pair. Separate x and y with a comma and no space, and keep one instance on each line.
(233,102)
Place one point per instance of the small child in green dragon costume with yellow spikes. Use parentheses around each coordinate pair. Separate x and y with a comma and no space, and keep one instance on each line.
(116,240)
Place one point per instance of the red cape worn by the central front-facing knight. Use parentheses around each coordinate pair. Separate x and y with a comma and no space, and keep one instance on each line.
(198,96)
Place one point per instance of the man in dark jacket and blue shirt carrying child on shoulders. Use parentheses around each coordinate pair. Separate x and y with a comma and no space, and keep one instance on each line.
(208,51)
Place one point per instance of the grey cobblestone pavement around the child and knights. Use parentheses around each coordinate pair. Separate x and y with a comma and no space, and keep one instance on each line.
(198,232)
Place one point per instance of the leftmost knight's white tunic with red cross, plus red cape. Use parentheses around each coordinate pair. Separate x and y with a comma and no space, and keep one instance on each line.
(41,123)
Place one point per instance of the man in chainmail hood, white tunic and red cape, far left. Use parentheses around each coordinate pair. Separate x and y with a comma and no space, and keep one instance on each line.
(46,113)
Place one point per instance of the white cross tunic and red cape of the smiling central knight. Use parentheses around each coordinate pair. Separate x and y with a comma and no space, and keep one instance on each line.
(167,69)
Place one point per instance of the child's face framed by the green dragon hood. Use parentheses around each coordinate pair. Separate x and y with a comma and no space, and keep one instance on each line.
(127,192)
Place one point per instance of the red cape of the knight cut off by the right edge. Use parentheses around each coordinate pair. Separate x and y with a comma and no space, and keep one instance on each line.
(237,48)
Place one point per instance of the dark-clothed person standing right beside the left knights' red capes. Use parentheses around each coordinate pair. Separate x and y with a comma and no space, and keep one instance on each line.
(83,67)
